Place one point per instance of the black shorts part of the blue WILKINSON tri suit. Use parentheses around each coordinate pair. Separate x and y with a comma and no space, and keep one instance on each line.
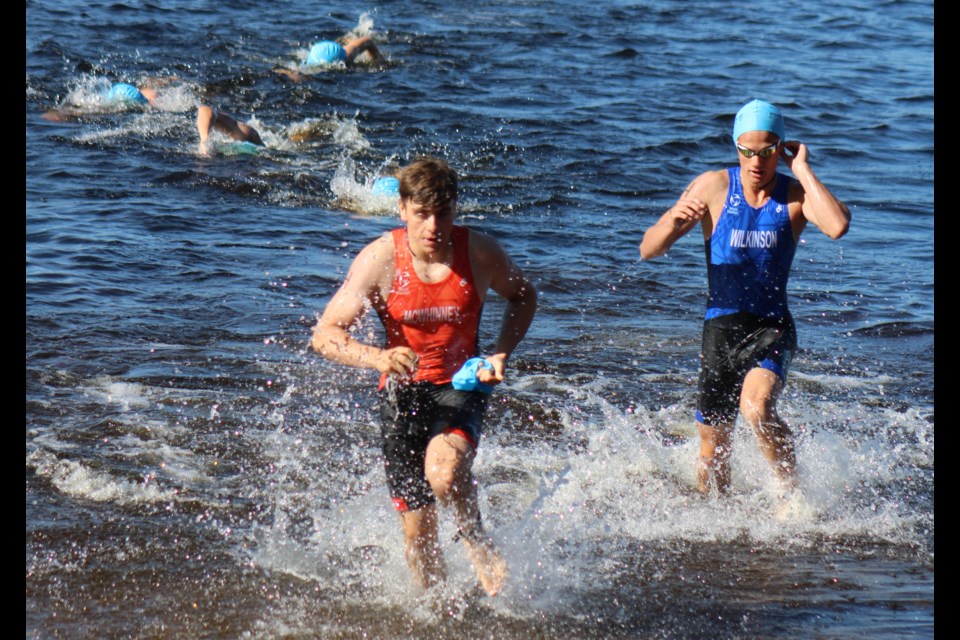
(732,346)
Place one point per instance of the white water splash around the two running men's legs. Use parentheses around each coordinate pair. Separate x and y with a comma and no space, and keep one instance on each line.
(602,478)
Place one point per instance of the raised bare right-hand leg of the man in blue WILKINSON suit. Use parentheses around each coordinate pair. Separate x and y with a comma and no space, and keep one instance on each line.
(758,404)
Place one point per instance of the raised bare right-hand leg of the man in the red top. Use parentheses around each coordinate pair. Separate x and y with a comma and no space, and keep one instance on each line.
(449,462)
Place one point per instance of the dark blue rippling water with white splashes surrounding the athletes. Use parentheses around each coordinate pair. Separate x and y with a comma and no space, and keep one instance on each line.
(193,471)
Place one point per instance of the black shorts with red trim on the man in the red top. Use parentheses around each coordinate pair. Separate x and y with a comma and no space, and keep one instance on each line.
(410,416)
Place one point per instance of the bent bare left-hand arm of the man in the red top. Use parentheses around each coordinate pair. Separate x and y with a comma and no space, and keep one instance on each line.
(367,284)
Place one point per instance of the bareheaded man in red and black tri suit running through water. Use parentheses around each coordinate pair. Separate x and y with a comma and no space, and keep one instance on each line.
(427,281)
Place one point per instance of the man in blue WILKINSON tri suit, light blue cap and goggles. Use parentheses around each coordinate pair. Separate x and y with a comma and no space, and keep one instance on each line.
(751,218)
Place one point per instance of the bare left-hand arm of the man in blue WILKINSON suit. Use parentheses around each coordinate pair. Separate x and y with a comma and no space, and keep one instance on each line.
(696,201)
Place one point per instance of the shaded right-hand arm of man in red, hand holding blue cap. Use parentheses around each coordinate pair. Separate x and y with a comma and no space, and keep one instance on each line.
(494,269)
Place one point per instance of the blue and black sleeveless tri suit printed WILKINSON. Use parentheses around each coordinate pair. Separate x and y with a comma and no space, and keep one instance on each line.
(747,323)
